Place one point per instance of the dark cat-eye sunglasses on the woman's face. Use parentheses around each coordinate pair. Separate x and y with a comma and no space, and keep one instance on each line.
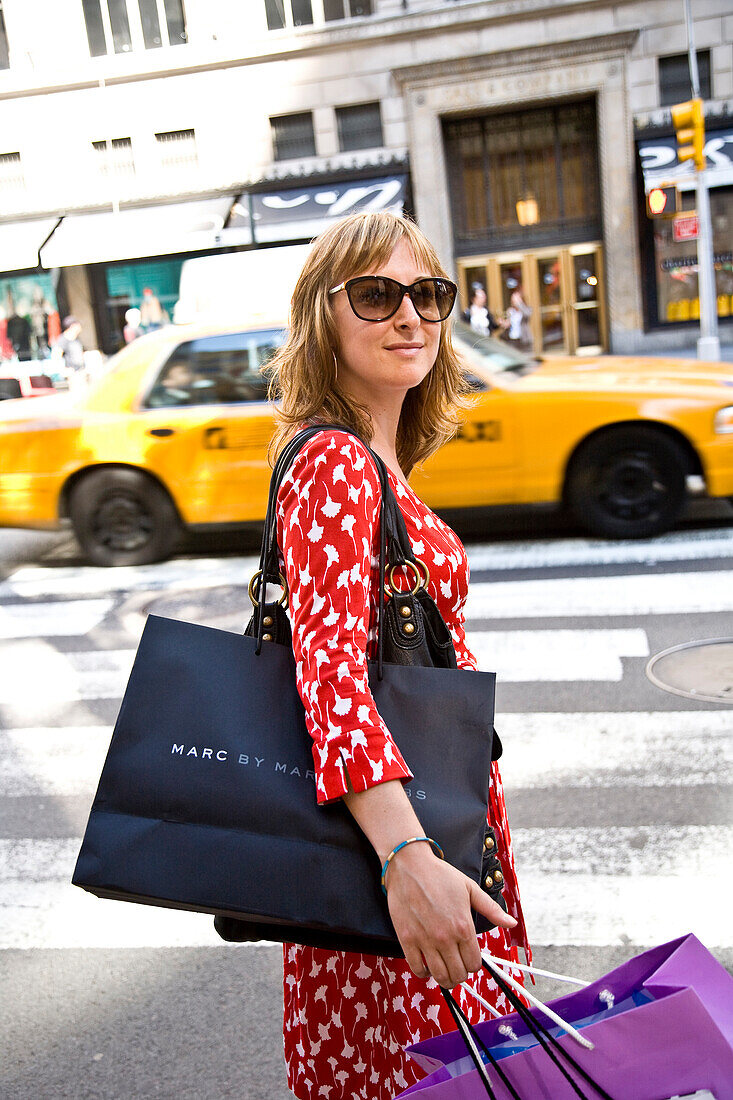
(378,299)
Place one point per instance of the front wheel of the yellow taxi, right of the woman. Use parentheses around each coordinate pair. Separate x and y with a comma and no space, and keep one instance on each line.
(628,483)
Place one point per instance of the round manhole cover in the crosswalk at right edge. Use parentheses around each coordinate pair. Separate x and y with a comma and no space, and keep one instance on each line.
(702,670)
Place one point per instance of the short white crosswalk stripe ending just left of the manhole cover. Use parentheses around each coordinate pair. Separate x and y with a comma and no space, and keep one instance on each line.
(522,656)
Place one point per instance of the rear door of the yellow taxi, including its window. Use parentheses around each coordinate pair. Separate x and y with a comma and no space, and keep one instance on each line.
(207,425)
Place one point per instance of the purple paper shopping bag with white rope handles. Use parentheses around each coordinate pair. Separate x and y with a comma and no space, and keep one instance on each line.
(666,1030)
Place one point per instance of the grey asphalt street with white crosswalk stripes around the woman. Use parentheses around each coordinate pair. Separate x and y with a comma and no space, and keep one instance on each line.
(619,796)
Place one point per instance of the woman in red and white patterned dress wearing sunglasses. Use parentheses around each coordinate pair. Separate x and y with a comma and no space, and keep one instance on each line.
(392,376)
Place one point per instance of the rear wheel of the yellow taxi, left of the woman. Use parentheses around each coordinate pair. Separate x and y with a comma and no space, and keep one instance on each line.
(122,518)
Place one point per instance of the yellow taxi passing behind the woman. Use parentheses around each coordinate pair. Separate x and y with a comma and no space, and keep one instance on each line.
(173,436)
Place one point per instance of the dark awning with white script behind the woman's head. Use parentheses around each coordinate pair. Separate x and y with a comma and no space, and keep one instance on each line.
(300,214)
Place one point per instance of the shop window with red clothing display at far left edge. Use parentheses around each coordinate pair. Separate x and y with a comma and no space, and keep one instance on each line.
(29,317)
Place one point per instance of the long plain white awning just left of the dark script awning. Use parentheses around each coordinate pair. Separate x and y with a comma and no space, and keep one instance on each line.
(149,232)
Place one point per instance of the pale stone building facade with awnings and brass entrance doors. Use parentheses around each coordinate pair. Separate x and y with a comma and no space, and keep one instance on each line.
(521,134)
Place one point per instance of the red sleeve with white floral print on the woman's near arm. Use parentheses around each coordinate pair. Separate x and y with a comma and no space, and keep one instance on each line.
(329,535)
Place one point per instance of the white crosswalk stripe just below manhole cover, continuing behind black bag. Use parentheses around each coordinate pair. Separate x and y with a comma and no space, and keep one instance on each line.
(669,749)
